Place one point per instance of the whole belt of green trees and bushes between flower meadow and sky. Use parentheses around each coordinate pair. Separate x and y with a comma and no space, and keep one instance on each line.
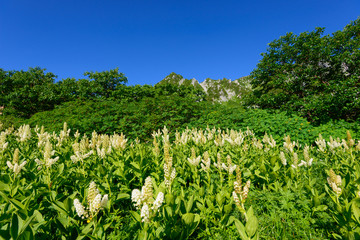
(305,84)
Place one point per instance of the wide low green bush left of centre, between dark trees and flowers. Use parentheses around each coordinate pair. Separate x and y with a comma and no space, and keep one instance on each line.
(135,119)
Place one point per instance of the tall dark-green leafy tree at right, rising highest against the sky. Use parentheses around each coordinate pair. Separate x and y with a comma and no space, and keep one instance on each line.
(314,75)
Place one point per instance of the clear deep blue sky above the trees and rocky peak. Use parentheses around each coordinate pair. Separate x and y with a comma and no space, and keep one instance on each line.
(147,40)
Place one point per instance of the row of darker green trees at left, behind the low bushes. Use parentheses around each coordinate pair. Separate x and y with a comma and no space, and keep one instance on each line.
(25,93)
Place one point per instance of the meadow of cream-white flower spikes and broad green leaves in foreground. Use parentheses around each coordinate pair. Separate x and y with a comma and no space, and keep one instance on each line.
(195,184)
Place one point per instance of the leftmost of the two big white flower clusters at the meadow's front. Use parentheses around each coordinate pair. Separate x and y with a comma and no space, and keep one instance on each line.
(95,203)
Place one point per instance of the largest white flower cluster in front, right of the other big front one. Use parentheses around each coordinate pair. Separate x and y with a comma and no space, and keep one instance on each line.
(144,199)
